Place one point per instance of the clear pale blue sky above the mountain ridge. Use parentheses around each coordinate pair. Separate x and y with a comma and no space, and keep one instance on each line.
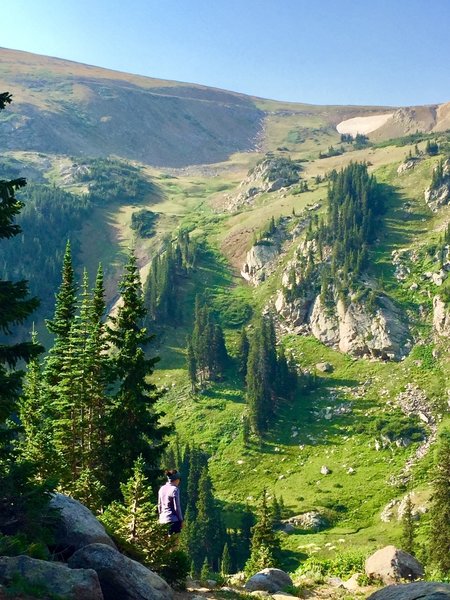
(387,52)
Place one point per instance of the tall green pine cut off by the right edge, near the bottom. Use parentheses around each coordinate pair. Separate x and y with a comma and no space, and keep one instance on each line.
(439,542)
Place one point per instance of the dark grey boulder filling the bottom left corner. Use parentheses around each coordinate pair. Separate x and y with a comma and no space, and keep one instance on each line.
(51,578)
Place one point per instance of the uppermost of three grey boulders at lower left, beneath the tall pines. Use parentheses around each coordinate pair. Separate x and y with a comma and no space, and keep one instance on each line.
(76,526)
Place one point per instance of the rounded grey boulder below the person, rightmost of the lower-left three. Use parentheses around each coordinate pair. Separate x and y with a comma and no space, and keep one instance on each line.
(121,578)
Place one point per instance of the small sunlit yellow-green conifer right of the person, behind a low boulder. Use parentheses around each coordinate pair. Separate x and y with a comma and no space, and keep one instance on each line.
(265,546)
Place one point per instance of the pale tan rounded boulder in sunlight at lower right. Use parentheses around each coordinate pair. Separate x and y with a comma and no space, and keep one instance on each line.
(392,565)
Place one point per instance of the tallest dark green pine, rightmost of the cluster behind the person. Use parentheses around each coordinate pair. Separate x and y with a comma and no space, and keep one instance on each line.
(133,422)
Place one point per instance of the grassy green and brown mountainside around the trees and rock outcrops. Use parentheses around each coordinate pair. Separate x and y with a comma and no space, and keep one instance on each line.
(335,422)
